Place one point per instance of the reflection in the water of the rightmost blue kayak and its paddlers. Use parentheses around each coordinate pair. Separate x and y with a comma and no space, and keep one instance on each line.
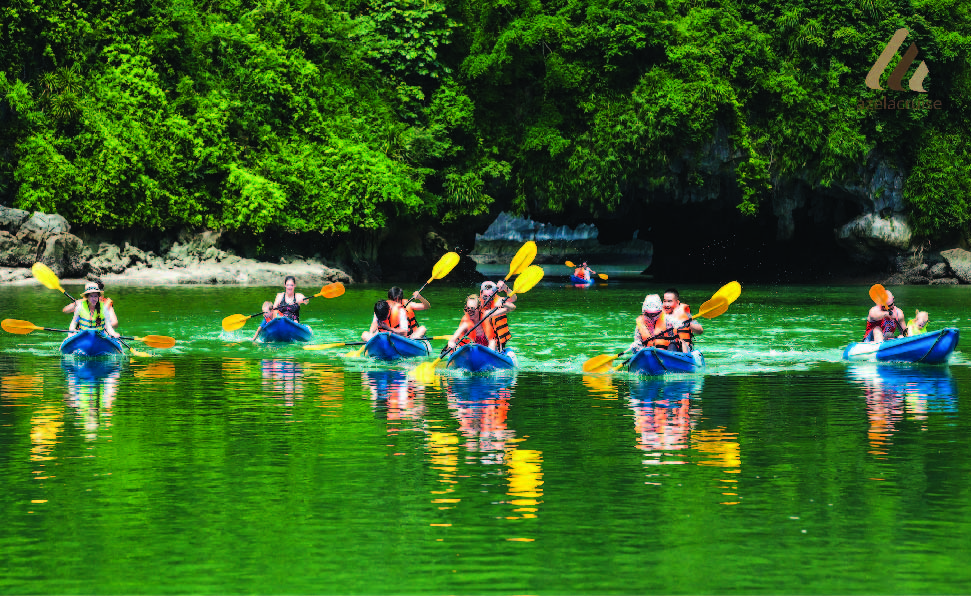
(896,392)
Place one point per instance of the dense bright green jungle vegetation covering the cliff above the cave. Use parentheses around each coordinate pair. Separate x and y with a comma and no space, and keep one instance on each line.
(309,115)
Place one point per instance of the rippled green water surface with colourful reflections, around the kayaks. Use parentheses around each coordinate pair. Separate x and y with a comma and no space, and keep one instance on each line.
(225,467)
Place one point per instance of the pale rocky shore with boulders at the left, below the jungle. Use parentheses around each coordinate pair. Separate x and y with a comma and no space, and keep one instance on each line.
(28,238)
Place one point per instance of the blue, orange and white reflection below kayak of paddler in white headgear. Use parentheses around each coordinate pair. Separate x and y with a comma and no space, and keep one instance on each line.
(663,414)
